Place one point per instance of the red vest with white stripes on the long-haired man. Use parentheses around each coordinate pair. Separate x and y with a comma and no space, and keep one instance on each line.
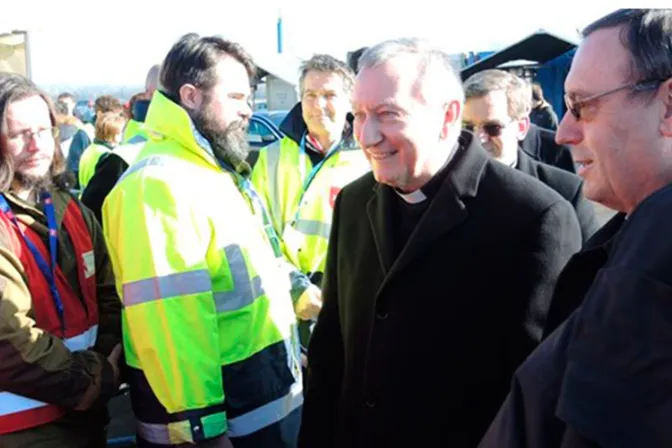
(16,412)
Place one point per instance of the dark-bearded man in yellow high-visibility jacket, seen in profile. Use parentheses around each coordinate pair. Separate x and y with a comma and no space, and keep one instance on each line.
(209,303)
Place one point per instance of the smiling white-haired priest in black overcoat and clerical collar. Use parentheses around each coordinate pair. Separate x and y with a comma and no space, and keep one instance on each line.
(440,267)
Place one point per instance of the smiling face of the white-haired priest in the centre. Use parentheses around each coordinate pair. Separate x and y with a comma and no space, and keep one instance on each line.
(398,123)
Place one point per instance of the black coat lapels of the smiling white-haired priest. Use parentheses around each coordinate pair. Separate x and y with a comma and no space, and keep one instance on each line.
(445,211)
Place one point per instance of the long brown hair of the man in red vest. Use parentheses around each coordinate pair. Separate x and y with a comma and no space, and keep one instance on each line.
(14,88)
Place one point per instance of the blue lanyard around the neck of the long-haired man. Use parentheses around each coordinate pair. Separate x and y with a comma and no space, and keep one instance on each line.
(48,271)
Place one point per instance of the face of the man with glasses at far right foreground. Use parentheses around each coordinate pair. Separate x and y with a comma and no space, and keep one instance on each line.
(616,142)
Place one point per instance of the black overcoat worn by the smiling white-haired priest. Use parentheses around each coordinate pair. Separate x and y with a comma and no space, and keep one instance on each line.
(419,351)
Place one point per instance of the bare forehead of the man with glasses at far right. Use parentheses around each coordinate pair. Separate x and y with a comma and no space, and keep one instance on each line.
(601,62)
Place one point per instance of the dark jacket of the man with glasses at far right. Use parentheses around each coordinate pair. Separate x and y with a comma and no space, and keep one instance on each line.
(602,378)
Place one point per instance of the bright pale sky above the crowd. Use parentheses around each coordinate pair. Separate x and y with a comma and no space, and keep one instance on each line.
(115,44)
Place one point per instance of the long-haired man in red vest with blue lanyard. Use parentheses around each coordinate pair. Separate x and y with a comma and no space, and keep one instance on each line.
(60,316)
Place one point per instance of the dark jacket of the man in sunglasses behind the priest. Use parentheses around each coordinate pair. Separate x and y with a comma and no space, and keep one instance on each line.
(568,185)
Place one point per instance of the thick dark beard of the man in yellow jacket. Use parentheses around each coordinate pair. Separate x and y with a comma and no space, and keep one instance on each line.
(230,144)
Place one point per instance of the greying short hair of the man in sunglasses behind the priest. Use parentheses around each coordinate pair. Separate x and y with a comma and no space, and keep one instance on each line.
(518,98)
